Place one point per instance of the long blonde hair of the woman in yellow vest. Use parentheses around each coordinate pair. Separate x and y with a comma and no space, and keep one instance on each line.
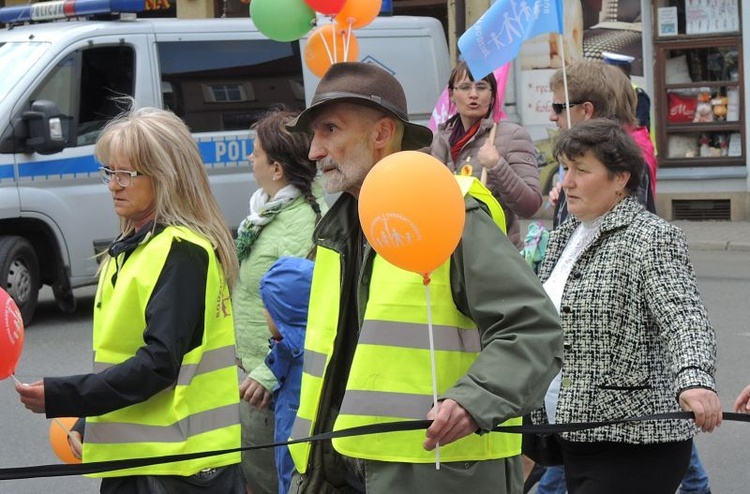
(158,144)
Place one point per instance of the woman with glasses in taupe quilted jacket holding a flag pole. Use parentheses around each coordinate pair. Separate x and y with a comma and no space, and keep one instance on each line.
(470,142)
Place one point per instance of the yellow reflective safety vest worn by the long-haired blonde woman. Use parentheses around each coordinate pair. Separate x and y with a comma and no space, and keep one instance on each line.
(201,411)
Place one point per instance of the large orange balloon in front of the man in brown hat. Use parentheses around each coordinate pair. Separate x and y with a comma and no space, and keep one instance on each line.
(412,211)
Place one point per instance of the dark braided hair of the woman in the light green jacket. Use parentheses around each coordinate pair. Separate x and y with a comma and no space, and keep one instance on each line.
(290,150)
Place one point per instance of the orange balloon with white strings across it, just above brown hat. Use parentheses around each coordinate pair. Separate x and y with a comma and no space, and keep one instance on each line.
(320,48)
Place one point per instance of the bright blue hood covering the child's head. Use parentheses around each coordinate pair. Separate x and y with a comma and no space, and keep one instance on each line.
(285,290)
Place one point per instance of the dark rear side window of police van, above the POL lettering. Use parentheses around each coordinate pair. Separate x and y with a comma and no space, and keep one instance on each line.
(226,85)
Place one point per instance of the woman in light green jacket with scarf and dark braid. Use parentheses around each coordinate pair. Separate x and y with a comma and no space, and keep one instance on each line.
(283,212)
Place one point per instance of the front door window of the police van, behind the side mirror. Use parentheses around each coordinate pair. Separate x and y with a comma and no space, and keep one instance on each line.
(89,100)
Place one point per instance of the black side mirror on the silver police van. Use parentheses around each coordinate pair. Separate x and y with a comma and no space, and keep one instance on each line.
(45,127)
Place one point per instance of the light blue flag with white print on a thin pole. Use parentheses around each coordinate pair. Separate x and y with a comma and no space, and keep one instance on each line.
(496,37)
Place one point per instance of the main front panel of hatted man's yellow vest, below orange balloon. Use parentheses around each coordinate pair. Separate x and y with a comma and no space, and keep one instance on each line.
(391,378)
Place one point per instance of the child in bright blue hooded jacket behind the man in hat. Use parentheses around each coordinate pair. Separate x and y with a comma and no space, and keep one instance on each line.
(285,290)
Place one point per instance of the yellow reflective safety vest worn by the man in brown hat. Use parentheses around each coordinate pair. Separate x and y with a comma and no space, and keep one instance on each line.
(394,331)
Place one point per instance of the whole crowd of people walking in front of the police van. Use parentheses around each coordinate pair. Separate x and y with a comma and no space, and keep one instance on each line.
(326,335)
